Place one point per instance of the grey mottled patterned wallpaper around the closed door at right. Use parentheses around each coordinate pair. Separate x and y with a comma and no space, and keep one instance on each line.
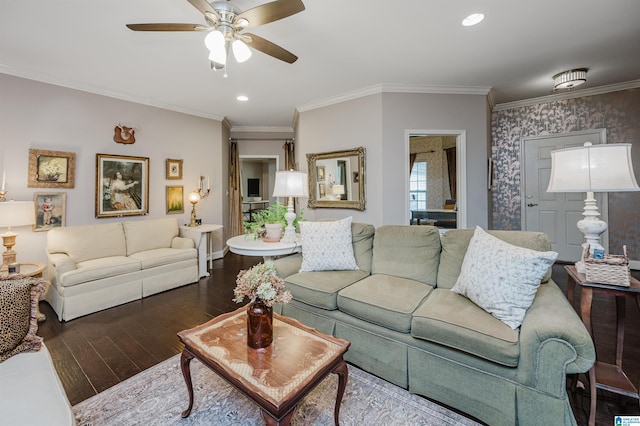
(617,112)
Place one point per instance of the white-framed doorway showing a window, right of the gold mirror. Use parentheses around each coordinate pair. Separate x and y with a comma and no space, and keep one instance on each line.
(439,204)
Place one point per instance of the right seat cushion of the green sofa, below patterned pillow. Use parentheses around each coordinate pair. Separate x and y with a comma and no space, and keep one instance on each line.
(452,320)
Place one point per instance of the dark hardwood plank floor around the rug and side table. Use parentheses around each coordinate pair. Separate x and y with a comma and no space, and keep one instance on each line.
(97,351)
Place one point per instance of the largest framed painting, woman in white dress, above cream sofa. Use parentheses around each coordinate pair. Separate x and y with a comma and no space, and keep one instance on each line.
(122,185)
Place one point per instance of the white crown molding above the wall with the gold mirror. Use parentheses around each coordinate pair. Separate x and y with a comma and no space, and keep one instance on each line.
(395,88)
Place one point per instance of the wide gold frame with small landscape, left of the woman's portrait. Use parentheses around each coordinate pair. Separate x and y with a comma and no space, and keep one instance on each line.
(51,169)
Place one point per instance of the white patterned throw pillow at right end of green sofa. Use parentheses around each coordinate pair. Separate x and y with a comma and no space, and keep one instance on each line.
(502,278)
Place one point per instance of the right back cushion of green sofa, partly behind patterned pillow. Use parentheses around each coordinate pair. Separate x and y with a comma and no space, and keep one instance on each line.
(456,241)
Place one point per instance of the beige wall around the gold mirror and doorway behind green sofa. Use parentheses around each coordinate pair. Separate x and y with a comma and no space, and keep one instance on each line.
(378,123)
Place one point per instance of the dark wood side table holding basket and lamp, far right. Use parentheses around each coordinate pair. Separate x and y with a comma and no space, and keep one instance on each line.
(603,375)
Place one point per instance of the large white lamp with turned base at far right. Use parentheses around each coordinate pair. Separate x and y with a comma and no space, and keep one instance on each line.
(592,168)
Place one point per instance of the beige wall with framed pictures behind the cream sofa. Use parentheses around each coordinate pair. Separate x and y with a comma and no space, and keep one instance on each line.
(43,116)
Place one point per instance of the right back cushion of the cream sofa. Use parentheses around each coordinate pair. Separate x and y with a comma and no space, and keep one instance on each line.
(149,234)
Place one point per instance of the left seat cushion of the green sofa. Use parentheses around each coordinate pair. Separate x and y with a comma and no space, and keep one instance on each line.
(321,289)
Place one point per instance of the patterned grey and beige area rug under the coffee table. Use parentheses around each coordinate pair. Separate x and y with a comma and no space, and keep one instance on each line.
(158,395)
